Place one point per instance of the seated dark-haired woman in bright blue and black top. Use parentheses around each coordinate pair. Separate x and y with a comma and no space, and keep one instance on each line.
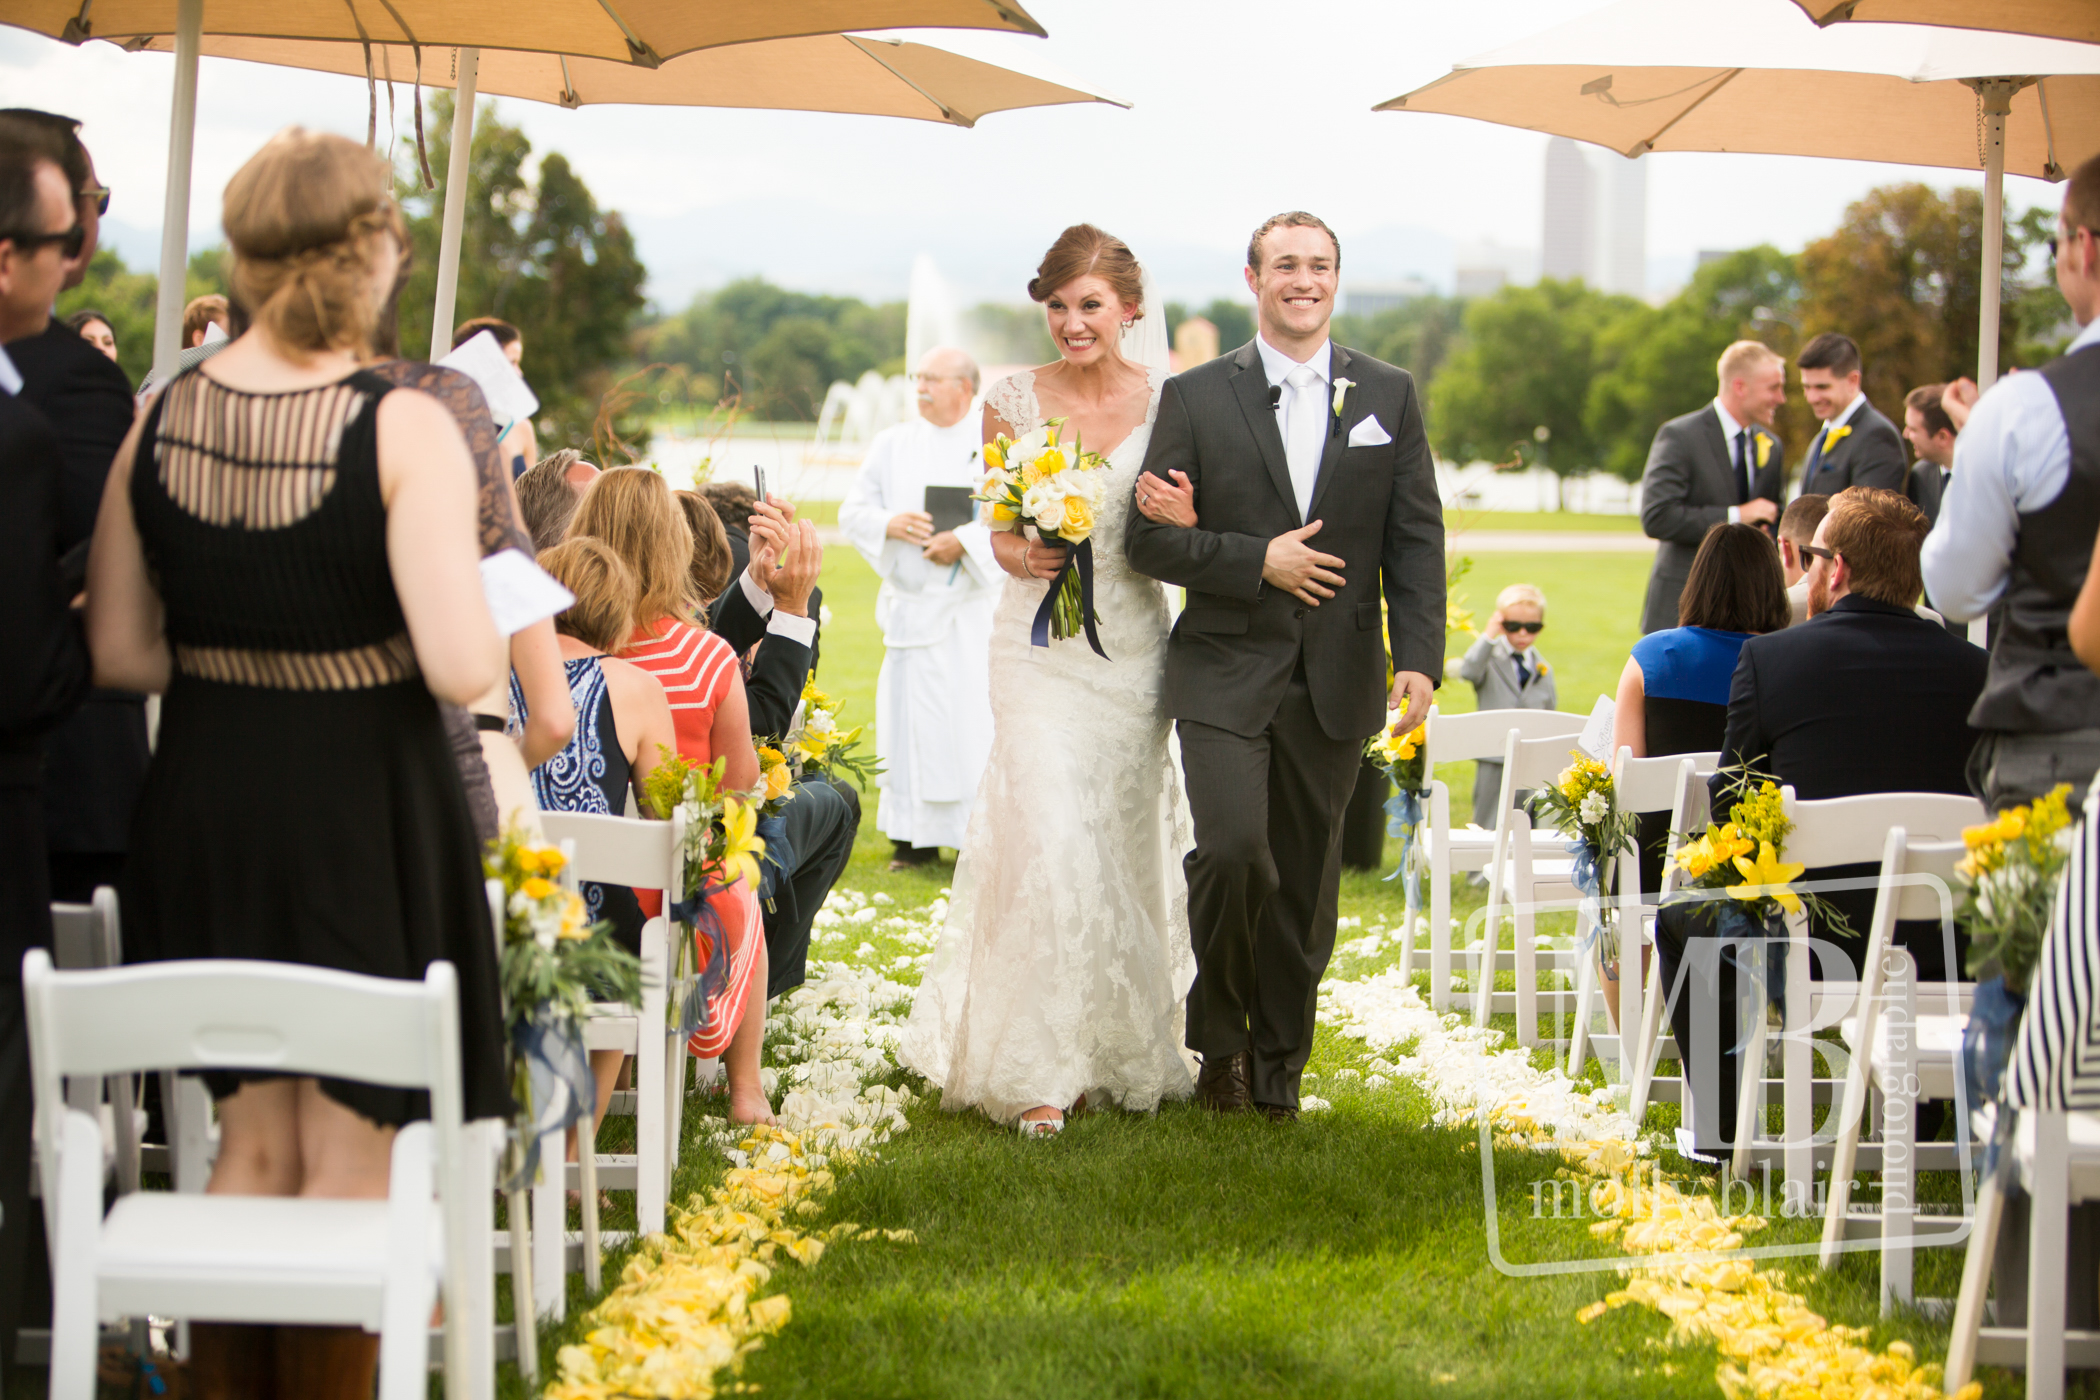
(1675,687)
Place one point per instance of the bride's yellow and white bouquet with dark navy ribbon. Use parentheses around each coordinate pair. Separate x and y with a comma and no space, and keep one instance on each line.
(1057,490)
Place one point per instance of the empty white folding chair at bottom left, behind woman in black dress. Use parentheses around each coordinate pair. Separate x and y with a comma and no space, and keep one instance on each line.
(375,1265)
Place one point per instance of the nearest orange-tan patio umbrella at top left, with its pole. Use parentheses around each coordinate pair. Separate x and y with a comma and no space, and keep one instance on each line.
(635,33)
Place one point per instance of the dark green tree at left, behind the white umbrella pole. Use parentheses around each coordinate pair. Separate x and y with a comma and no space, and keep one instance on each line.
(539,255)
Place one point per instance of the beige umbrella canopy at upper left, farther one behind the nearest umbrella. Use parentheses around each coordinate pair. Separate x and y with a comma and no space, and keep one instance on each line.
(959,79)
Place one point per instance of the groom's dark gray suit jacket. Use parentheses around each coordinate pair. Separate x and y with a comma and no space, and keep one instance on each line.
(1238,643)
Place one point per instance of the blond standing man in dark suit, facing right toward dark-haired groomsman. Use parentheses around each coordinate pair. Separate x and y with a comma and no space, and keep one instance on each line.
(1715,467)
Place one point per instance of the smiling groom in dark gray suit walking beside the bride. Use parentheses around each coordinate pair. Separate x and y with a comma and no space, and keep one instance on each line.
(1316,499)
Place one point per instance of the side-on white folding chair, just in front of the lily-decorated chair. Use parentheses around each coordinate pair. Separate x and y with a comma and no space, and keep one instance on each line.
(1912,1065)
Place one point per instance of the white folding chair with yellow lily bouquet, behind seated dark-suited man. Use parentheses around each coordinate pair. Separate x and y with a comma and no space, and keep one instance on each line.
(1830,832)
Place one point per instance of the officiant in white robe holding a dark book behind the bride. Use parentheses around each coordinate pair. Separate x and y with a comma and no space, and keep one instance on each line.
(910,515)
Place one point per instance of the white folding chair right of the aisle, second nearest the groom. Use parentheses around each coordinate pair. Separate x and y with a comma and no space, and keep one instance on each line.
(1521,876)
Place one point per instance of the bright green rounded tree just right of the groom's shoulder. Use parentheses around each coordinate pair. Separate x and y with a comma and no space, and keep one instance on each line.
(1524,362)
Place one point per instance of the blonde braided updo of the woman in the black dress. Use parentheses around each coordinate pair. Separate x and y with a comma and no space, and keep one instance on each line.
(303,221)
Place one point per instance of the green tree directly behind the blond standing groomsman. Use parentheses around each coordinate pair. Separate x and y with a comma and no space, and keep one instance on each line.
(1660,360)
